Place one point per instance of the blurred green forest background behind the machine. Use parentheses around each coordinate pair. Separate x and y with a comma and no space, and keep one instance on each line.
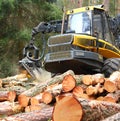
(18,17)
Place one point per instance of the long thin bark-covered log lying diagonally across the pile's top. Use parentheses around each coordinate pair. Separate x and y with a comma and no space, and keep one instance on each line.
(42,86)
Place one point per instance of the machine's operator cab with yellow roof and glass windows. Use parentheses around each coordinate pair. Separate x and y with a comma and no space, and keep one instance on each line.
(89,21)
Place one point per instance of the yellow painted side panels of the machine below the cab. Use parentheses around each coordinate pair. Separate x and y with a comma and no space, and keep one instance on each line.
(89,43)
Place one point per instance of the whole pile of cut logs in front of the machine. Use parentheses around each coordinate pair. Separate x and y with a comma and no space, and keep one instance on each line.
(65,97)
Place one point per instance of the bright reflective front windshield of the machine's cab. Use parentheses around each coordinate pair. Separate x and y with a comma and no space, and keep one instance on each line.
(80,22)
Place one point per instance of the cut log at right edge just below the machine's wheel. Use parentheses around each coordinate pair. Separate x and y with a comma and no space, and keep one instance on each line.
(112,83)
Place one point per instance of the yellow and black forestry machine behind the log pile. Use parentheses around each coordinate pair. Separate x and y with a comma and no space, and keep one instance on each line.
(88,42)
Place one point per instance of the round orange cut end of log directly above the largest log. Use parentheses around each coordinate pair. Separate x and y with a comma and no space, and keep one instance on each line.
(68,83)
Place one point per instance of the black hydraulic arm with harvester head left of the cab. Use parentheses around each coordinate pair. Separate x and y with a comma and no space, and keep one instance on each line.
(32,60)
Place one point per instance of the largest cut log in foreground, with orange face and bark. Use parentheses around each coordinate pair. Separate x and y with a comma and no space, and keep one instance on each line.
(83,110)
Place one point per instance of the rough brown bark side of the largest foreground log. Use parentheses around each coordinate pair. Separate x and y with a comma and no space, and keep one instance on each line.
(98,110)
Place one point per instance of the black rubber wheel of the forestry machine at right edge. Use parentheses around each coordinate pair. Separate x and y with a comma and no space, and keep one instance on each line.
(110,65)
